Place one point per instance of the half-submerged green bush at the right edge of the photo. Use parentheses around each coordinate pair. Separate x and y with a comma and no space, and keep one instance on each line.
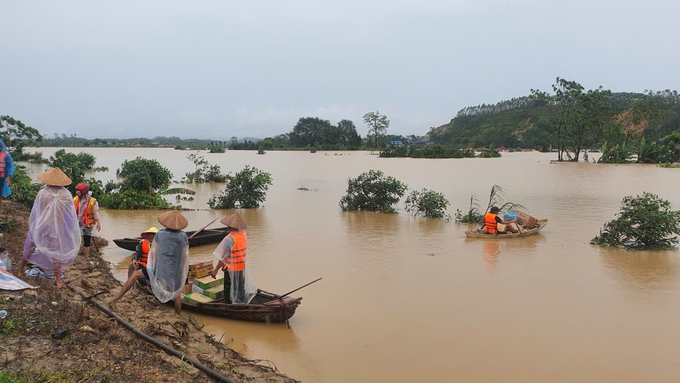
(644,222)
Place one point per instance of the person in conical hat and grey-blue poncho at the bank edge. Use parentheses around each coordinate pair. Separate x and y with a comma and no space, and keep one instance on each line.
(168,260)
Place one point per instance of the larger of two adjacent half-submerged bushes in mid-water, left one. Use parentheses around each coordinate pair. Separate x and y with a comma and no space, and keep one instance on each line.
(373,191)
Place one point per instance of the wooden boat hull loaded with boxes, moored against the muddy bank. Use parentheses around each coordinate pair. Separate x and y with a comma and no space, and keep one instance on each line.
(264,307)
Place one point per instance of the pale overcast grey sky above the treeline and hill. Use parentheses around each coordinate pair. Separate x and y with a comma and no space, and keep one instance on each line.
(216,69)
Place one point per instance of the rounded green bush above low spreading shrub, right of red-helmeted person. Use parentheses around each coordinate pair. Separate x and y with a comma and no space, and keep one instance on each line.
(144,175)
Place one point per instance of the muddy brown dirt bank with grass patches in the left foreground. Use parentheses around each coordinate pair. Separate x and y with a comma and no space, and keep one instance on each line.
(94,346)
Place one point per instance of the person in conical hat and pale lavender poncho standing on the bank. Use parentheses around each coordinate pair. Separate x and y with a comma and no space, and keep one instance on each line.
(53,237)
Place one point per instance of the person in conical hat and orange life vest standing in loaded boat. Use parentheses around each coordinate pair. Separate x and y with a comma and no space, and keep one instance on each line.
(239,287)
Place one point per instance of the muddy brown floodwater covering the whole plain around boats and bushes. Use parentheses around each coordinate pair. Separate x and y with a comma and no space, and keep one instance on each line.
(405,299)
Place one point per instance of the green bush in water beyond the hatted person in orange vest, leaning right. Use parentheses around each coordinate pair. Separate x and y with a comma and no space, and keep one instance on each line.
(246,189)
